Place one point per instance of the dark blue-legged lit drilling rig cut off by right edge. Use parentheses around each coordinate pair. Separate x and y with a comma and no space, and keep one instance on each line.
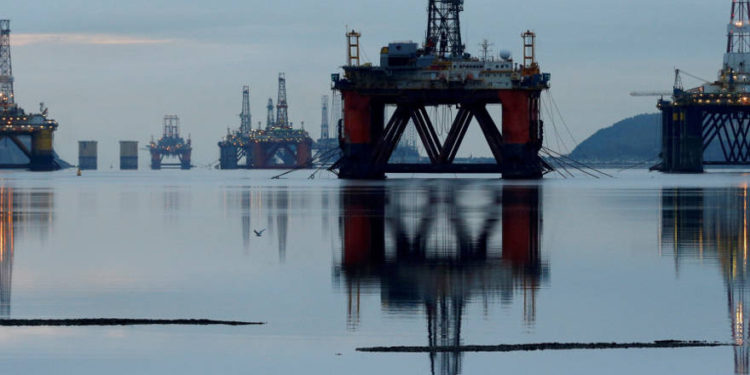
(715,115)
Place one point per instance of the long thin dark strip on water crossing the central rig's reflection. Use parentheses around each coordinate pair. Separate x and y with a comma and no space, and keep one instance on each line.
(663,344)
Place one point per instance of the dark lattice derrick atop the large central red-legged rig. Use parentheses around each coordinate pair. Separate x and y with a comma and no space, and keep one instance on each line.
(444,28)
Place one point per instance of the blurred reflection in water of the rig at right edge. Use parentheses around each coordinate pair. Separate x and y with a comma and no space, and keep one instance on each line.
(713,223)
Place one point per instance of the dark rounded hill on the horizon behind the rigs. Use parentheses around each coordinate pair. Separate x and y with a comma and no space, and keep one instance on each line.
(634,139)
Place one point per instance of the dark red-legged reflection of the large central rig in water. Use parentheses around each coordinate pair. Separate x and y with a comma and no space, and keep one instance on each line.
(434,249)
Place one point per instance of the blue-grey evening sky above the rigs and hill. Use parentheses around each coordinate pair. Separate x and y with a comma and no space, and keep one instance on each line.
(110,70)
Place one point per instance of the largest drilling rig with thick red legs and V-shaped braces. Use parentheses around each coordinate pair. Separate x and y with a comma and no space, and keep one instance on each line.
(440,73)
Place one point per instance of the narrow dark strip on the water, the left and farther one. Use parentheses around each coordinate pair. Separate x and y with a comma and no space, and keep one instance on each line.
(118,322)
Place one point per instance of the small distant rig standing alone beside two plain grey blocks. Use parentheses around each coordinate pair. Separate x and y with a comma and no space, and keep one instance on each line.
(171,145)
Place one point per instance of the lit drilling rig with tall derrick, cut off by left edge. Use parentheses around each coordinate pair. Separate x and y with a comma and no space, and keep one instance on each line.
(15,122)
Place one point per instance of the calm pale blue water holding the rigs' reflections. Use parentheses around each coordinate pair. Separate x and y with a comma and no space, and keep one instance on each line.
(341,265)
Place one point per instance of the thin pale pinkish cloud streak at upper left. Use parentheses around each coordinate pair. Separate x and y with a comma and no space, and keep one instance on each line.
(91,39)
